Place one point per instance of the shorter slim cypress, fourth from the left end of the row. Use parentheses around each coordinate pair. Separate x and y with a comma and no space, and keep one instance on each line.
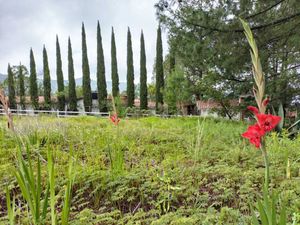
(47,80)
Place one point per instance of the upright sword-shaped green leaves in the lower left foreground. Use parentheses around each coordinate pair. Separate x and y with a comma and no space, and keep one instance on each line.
(36,198)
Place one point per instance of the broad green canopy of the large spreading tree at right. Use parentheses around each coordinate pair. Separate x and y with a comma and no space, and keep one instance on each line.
(207,38)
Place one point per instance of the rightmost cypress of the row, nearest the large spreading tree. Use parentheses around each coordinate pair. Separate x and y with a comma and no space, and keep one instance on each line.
(159,71)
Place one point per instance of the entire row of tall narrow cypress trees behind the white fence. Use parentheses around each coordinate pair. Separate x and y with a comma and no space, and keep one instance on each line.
(86,86)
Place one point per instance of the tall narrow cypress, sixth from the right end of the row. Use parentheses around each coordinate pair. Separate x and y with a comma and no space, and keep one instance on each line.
(86,81)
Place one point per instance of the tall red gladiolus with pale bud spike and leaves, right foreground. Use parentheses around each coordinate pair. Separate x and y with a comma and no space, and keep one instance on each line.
(265,207)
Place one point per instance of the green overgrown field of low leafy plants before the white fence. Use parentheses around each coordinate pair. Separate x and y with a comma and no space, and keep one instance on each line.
(151,170)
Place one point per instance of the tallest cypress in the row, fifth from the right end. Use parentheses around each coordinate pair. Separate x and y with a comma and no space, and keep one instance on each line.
(101,82)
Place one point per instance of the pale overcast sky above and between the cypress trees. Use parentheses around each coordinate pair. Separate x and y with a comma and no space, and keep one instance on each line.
(32,23)
